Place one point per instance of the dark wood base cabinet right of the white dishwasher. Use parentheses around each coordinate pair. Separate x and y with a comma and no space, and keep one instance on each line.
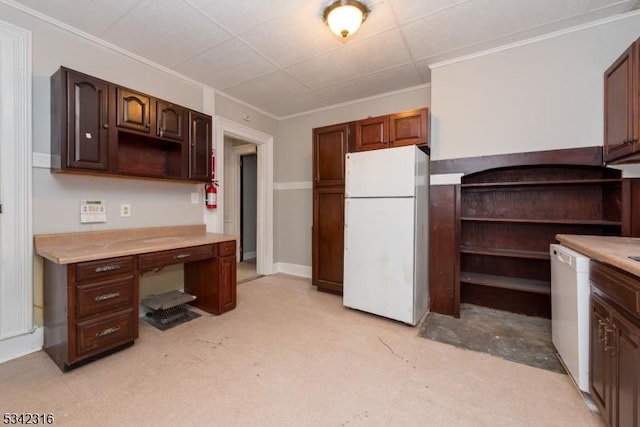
(614,381)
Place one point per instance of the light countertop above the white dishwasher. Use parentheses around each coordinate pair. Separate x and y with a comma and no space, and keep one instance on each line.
(609,249)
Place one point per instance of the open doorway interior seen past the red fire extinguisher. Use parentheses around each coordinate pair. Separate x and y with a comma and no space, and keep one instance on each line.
(240,213)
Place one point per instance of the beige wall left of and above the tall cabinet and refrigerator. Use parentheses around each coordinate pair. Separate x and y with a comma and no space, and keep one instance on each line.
(293,164)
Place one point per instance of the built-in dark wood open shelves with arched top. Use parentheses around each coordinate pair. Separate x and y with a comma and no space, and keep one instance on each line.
(510,216)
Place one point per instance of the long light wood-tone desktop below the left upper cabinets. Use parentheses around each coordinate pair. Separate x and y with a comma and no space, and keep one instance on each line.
(67,248)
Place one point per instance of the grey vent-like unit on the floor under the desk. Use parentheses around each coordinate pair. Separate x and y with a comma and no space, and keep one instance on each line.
(169,309)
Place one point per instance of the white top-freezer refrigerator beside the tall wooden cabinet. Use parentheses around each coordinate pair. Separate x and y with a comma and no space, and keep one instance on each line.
(386,236)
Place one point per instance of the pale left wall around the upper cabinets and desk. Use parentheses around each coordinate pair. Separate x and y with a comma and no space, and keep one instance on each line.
(56,197)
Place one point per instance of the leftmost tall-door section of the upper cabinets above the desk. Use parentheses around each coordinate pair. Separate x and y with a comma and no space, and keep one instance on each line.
(80,121)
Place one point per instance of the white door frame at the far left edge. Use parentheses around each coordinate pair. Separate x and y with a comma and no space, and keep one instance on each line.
(16,230)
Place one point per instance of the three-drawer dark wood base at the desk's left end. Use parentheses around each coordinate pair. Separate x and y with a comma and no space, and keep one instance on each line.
(90,308)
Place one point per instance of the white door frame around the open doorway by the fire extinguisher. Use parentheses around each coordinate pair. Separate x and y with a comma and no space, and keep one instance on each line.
(264,143)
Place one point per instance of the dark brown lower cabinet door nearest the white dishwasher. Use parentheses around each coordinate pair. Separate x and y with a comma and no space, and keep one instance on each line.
(600,384)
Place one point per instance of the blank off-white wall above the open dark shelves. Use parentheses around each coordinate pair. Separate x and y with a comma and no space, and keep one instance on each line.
(544,95)
